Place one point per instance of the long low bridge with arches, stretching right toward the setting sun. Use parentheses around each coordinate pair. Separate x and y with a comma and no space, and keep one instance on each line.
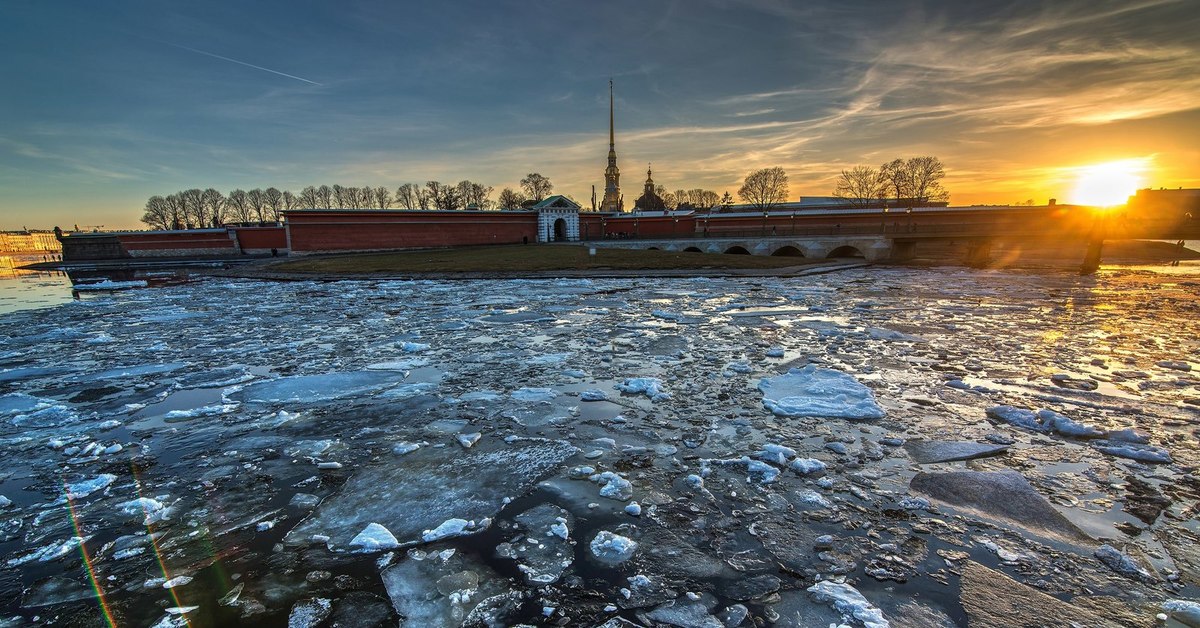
(892,236)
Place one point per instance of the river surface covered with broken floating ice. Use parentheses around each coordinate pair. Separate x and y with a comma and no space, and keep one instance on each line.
(543,452)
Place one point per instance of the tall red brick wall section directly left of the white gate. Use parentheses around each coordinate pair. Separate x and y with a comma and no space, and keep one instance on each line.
(373,231)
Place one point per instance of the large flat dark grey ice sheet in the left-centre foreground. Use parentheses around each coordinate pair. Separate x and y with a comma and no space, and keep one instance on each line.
(397,494)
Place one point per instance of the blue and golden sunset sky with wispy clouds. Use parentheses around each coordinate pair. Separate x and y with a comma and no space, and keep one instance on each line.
(106,104)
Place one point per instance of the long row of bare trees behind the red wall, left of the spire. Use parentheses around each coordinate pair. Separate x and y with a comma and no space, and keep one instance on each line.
(211,208)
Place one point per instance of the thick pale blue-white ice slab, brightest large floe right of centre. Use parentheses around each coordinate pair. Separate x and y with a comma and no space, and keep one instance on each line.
(813,392)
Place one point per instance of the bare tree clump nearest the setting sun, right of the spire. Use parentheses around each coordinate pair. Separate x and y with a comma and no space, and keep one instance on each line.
(915,181)
